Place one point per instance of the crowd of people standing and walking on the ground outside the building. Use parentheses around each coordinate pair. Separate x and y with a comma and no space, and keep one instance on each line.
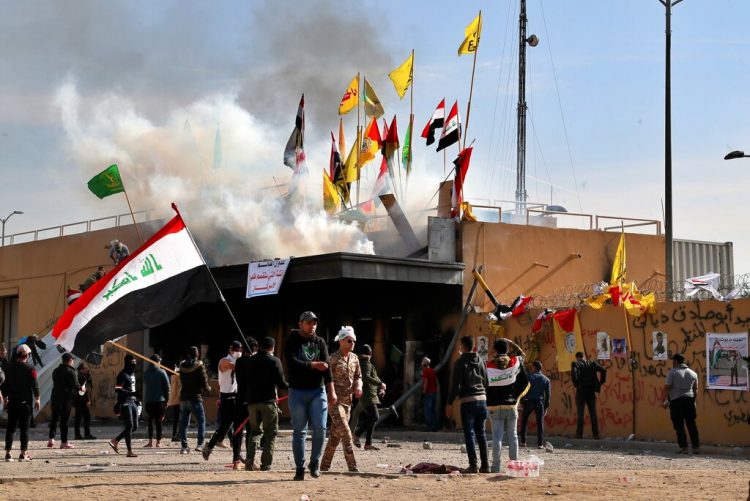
(321,388)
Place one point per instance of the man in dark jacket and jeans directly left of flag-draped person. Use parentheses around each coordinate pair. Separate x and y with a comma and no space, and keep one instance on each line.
(469,385)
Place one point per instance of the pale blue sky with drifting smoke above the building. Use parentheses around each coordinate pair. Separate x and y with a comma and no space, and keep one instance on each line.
(70,71)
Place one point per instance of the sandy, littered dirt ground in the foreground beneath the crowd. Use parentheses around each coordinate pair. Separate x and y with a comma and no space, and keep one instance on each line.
(575,470)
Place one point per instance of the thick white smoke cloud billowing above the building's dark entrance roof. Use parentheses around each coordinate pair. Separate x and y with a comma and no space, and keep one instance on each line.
(235,209)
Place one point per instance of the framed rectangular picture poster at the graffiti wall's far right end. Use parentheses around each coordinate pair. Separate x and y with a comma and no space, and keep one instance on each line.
(725,367)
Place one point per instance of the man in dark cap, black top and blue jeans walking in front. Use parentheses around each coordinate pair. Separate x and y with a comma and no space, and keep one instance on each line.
(309,377)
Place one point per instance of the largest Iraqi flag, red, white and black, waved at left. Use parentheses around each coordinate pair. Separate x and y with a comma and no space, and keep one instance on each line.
(163,278)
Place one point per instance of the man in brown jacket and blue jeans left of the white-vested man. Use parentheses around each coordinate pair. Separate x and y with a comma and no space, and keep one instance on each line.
(194,381)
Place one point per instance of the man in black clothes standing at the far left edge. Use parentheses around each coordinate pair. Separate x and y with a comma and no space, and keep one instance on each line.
(19,391)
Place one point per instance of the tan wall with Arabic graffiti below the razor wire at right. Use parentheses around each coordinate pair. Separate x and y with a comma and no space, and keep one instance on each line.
(630,402)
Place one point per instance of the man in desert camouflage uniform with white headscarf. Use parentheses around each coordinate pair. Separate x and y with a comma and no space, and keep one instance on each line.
(347,380)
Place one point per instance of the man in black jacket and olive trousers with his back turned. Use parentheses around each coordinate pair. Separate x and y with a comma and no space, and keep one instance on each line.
(263,377)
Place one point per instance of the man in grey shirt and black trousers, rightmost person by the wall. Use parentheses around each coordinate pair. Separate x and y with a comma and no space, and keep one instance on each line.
(680,391)
